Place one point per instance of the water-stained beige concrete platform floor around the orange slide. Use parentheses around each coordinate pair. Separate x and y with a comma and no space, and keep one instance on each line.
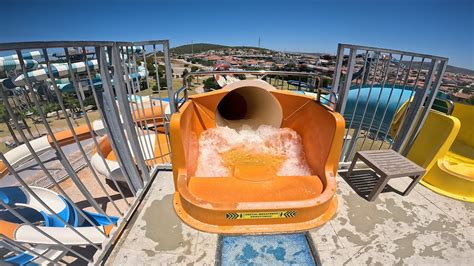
(422,228)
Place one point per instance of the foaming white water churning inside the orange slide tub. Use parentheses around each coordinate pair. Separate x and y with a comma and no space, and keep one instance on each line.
(283,143)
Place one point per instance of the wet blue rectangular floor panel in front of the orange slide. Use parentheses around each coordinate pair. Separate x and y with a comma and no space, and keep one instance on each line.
(281,249)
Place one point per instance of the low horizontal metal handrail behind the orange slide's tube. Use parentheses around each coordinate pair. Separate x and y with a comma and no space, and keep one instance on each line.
(264,73)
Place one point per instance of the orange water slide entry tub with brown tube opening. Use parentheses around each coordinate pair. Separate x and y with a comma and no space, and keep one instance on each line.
(253,198)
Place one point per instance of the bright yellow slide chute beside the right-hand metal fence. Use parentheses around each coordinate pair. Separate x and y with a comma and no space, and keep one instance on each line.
(445,147)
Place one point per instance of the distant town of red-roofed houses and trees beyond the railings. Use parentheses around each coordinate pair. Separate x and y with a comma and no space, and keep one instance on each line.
(458,85)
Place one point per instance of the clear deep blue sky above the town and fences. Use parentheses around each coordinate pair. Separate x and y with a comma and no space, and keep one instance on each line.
(439,27)
